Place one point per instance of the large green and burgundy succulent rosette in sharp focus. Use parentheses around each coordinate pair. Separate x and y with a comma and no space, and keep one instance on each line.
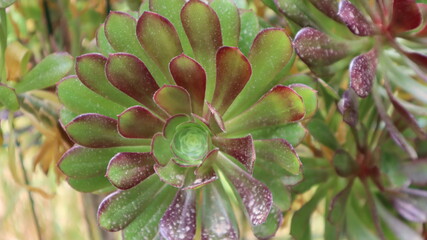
(184,124)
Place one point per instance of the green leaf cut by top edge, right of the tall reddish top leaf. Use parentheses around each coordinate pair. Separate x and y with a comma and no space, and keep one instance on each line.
(229,19)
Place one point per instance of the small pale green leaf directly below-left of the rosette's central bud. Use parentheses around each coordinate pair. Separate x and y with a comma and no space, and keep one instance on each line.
(172,173)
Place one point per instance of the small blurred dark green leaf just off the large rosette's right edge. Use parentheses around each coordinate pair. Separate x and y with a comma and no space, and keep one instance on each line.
(322,133)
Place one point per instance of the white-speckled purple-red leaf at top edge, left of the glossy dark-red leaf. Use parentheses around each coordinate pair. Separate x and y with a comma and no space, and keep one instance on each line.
(354,19)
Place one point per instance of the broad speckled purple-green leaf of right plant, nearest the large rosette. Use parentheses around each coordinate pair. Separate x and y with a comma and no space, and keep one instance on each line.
(317,49)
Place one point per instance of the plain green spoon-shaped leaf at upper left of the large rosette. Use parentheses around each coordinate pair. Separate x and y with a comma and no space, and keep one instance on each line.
(120,30)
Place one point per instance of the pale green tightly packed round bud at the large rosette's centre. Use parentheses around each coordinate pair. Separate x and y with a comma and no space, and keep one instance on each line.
(190,144)
